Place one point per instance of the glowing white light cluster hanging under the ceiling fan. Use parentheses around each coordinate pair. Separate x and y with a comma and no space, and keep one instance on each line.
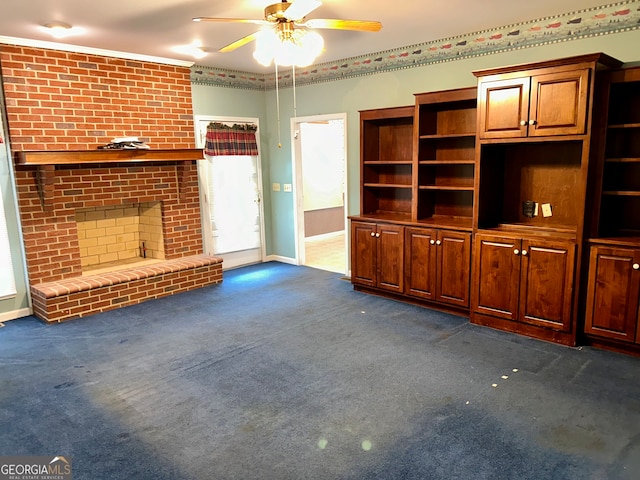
(288,47)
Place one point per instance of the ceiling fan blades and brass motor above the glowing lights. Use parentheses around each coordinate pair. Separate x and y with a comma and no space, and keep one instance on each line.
(284,17)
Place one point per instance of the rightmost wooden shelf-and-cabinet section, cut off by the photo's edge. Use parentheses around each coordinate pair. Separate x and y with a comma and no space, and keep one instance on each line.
(612,312)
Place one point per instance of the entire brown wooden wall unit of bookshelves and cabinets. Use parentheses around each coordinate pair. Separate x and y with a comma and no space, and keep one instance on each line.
(516,202)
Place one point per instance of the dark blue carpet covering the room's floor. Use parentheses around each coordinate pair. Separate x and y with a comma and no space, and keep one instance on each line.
(284,372)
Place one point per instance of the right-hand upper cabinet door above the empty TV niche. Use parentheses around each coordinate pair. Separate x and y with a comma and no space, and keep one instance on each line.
(559,103)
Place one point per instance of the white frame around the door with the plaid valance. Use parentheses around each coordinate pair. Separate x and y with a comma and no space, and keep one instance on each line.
(205,214)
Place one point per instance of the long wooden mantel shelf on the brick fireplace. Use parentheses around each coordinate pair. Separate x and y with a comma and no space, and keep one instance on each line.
(78,157)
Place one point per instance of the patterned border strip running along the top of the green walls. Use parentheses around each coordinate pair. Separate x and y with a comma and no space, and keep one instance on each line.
(597,21)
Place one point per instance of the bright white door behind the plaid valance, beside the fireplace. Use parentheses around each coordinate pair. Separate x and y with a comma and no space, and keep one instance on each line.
(230,197)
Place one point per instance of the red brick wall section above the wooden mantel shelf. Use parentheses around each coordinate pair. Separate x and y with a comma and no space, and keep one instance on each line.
(72,101)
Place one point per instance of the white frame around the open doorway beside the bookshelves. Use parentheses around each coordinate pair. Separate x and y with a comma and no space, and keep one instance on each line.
(298,194)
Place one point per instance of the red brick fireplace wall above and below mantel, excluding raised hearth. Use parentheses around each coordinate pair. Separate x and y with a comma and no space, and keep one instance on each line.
(69,101)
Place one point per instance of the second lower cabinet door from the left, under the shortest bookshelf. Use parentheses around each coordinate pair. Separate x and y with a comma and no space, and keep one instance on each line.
(390,257)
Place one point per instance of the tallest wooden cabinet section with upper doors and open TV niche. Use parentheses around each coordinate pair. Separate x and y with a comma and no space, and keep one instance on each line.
(532,165)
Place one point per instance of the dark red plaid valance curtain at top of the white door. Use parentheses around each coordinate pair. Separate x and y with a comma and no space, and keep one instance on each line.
(239,139)
